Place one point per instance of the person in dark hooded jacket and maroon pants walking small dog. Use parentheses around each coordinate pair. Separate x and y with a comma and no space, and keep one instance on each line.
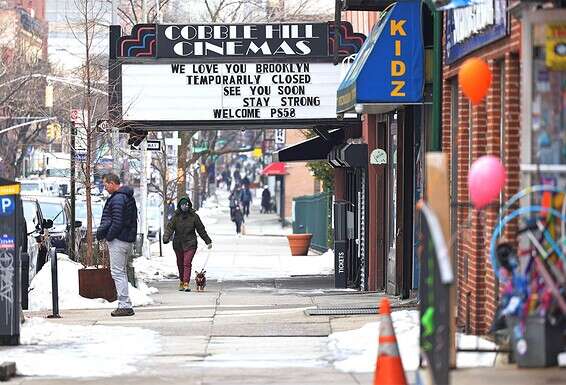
(182,228)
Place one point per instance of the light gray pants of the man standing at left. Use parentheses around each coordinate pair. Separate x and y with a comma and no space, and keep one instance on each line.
(118,268)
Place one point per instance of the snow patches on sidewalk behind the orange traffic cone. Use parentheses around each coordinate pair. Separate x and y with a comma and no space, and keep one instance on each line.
(356,350)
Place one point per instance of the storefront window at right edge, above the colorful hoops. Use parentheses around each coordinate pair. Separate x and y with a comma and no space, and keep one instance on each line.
(548,145)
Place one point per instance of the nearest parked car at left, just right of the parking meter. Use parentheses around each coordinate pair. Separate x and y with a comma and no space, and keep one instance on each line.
(37,242)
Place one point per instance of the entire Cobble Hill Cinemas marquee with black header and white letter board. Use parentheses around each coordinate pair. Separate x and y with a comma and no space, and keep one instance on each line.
(227,76)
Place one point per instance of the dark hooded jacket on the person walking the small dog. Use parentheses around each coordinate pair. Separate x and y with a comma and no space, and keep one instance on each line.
(183,228)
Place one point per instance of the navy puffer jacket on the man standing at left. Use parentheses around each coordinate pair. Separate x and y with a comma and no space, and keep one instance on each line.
(119,217)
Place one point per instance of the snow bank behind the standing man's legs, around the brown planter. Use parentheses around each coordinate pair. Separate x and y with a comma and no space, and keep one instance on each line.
(69,298)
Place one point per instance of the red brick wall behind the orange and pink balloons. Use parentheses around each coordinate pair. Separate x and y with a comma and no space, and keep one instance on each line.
(479,133)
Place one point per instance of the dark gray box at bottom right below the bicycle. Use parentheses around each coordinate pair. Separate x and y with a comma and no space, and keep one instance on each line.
(544,343)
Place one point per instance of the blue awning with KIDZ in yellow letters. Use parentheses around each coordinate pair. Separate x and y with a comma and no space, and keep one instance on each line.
(389,69)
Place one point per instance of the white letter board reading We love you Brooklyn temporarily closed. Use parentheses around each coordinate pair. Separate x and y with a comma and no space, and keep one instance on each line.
(229,91)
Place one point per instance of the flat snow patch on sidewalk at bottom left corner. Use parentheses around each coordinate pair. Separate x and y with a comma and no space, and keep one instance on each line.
(50,349)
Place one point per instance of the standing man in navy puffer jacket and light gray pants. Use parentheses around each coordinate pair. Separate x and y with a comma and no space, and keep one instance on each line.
(119,226)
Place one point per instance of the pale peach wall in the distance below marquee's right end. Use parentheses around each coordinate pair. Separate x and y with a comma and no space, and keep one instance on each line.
(299,181)
